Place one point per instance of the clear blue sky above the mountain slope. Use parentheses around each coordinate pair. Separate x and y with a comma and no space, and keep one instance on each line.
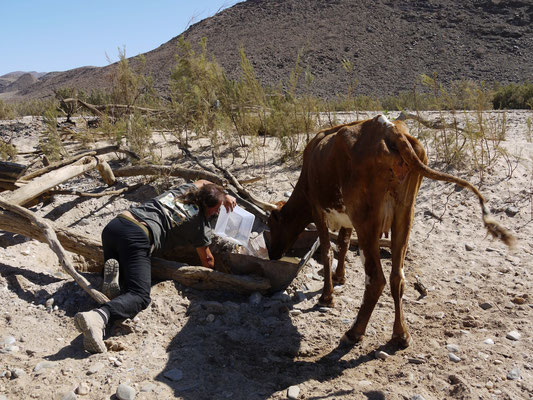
(57,35)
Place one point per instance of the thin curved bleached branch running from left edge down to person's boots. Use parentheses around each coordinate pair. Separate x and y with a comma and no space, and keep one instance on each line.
(55,245)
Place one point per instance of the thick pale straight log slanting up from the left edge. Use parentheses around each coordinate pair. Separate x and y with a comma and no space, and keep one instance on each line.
(47,181)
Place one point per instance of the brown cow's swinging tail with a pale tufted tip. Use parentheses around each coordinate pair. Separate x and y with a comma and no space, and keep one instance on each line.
(411,159)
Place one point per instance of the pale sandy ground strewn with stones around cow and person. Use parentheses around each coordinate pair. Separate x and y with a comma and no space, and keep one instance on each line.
(191,344)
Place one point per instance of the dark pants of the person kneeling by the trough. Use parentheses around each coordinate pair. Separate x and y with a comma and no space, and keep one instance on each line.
(126,242)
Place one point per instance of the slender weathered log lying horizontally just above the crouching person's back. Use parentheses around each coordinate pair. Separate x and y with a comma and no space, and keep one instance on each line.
(185,173)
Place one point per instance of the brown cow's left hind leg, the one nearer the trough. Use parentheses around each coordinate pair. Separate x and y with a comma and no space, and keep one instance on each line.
(374,284)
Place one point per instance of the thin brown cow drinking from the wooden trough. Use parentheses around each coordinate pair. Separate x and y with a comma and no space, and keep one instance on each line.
(364,176)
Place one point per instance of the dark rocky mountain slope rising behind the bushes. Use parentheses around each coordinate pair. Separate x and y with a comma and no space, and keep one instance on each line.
(390,43)
